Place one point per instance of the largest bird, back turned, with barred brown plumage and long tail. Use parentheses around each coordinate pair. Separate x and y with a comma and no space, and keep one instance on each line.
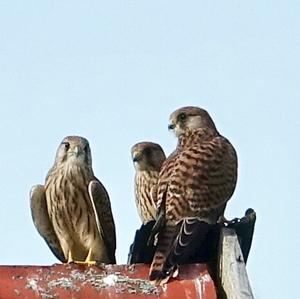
(194,185)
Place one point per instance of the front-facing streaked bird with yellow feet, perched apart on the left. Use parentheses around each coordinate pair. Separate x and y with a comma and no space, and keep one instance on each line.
(72,211)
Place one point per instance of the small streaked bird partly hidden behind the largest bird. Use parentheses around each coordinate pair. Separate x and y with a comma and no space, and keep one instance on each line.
(147,158)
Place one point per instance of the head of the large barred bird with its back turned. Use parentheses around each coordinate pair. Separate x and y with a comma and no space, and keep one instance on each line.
(189,119)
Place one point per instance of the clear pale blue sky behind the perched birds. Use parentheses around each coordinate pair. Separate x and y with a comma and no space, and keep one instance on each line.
(114,71)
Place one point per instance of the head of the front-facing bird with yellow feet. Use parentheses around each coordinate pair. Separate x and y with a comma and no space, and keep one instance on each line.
(74,150)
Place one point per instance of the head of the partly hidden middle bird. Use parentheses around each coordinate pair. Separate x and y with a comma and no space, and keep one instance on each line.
(147,156)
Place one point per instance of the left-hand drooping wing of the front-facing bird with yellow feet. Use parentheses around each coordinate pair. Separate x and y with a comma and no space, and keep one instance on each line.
(42,222)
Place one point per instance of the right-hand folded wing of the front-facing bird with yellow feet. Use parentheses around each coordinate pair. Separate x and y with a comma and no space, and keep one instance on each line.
(104,218)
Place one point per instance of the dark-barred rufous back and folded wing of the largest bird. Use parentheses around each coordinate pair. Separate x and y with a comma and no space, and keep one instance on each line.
(202,181)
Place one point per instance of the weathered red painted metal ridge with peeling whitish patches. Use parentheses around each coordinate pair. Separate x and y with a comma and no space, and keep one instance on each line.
(111,281)
